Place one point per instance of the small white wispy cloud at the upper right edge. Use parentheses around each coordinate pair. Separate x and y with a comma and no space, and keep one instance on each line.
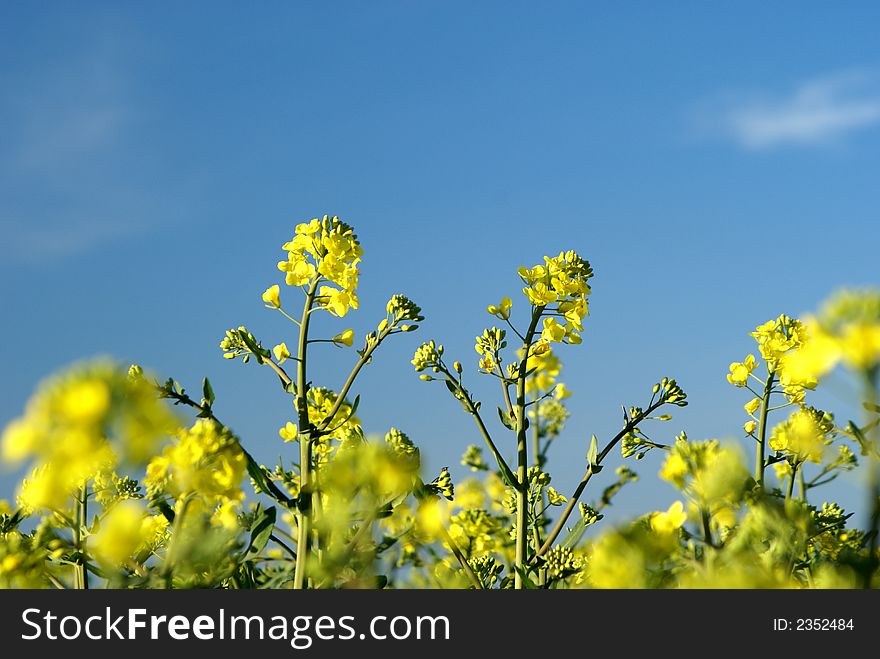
(820,111)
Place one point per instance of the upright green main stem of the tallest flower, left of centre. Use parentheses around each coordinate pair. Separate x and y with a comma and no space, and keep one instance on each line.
(304,503)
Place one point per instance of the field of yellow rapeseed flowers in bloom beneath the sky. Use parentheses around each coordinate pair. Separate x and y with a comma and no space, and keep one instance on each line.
(133,480)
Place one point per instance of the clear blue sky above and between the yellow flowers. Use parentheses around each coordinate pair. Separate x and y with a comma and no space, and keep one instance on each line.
(716,164)
